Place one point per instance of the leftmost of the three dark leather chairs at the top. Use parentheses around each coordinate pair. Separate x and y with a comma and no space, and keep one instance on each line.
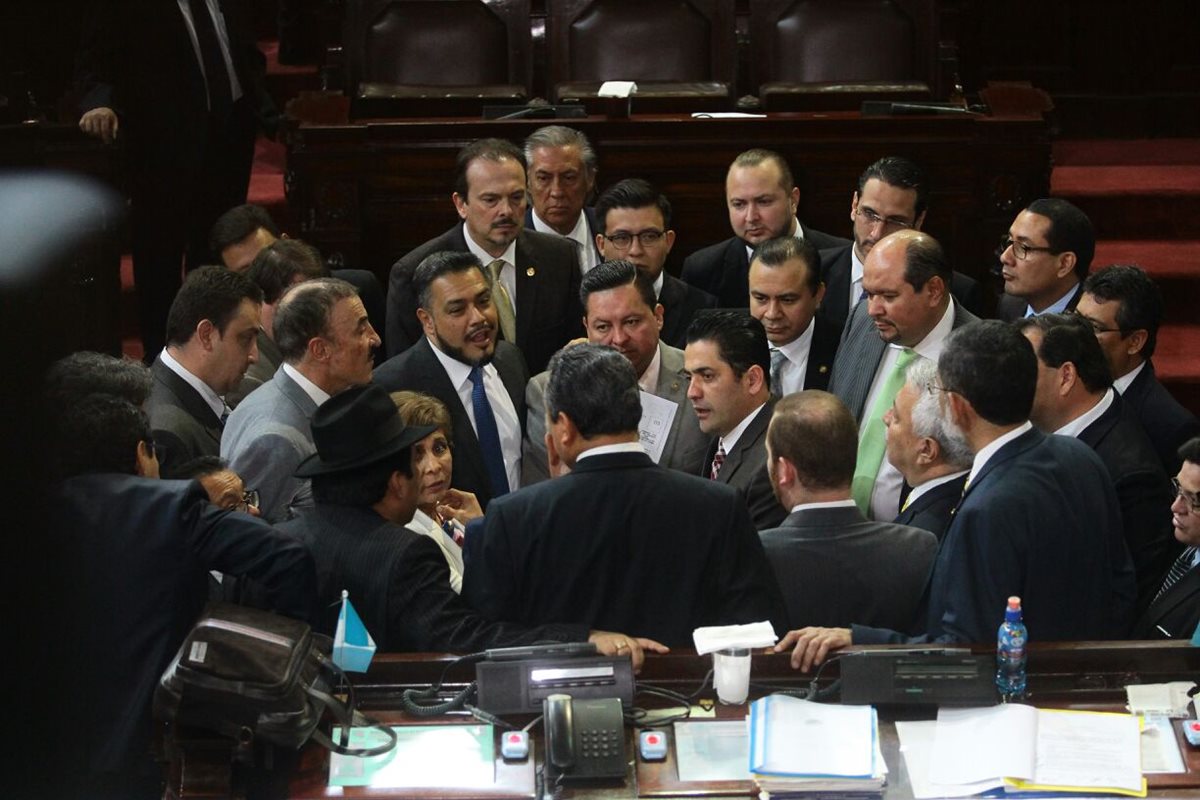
(409,58)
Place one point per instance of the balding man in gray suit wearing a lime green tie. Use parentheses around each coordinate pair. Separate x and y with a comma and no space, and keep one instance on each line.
(908,315)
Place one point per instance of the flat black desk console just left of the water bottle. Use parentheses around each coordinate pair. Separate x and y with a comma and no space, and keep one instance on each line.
(928,677)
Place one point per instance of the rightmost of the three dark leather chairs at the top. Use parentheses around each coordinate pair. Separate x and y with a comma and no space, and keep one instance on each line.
(832,55)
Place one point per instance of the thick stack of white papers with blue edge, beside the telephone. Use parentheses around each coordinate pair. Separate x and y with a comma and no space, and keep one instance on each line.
(800,748)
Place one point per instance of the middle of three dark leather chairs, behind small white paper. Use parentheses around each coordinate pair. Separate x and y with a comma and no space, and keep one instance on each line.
(681,53)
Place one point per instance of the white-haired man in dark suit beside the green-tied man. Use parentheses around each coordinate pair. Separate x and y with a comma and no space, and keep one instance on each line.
(933,458)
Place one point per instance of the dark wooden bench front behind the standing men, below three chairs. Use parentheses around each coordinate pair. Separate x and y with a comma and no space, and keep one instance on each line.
(374,190)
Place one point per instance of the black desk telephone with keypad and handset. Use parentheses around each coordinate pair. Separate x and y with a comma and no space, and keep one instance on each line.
(585,738)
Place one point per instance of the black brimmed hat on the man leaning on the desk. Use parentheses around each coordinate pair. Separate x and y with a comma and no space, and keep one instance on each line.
(356,429)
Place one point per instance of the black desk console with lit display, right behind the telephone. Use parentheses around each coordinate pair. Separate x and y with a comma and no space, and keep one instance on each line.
(521,687)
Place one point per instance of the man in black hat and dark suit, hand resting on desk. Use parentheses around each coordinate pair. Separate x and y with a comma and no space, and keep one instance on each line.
(399,581)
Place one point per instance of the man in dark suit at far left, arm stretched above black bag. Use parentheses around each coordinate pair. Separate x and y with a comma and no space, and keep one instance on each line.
(135,554)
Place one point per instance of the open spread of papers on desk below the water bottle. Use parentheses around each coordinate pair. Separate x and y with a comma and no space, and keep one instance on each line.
(1018,749)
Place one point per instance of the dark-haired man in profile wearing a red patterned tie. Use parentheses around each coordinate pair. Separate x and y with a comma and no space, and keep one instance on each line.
(729,363)
